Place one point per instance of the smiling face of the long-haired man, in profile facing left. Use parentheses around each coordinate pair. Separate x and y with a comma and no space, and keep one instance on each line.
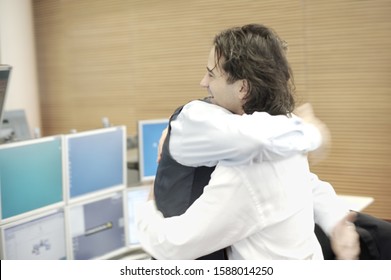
(229,96)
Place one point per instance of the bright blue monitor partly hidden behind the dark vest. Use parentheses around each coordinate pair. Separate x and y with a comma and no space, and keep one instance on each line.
(149,133)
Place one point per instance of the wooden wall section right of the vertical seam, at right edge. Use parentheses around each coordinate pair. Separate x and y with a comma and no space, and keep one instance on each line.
(348,68)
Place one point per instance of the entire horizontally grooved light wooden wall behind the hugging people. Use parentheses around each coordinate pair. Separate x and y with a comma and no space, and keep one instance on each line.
(131,59)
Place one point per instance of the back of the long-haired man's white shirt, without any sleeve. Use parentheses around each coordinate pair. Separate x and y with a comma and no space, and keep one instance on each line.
(277,206)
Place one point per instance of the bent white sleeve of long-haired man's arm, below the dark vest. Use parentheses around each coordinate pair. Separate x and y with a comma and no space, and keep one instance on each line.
(198,231)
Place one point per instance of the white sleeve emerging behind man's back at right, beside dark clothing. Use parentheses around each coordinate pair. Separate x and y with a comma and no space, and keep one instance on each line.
(328,208)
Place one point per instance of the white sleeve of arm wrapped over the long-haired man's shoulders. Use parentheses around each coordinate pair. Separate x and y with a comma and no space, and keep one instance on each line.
(204,134)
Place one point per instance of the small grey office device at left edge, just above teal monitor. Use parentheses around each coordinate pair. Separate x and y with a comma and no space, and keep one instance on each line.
(15,126)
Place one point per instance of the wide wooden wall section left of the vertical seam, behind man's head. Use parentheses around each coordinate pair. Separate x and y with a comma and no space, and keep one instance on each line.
(131,60)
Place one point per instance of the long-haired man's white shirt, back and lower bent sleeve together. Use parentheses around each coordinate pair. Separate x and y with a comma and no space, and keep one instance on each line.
(262,211)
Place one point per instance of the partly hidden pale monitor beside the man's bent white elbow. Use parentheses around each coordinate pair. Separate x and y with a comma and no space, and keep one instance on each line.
(135,196)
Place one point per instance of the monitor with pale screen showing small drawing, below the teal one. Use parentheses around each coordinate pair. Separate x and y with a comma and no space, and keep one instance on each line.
(35,238)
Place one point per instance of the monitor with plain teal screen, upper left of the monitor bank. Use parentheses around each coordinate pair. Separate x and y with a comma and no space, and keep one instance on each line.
(31,176)
